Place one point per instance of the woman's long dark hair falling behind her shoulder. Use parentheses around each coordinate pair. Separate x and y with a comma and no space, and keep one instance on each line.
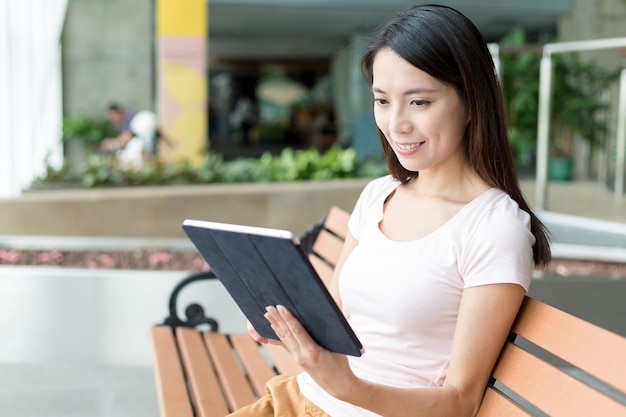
(445,44)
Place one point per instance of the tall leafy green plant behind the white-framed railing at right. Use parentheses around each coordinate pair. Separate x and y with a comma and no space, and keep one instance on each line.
(576,105)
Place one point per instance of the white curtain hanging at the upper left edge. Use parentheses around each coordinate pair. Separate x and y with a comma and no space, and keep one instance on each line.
(30,90)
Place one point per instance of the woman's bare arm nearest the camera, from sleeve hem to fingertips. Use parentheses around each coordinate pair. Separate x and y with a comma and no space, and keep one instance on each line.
(485,316)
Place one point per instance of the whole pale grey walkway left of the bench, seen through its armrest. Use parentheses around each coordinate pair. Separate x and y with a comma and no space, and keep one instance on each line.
(76,340)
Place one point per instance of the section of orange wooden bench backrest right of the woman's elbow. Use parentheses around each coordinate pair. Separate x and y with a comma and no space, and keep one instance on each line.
(556,364)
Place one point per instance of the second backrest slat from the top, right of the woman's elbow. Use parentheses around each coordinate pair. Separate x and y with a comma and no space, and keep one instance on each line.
(550,389)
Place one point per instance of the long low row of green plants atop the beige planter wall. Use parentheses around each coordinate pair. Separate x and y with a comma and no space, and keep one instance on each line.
(289,165)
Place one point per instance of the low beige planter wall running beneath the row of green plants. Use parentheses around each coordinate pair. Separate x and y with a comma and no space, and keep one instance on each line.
(160,211)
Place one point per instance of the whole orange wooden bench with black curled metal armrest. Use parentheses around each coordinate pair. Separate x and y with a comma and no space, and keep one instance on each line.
(554,364)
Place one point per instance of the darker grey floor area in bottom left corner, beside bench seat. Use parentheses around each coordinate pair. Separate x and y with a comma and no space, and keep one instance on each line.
(76,389)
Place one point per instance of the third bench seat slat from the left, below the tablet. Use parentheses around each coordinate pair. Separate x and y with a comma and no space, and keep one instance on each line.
(235,386)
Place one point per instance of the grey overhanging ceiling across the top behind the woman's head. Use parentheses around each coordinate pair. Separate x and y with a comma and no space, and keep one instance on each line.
(301,30)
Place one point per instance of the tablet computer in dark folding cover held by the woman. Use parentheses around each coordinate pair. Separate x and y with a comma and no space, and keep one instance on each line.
(262,267)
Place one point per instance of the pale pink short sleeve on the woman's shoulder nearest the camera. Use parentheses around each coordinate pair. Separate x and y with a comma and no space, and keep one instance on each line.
(499,249)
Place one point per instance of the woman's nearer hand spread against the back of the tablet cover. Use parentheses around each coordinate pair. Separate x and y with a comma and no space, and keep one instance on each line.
(330,370)
